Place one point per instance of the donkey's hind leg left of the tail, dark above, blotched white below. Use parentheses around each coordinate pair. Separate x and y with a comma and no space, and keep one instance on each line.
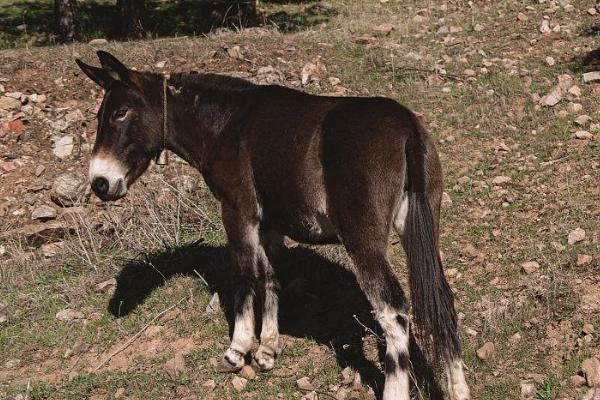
(376,279)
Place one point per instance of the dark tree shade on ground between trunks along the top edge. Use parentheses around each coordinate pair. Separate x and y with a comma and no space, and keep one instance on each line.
(32,22)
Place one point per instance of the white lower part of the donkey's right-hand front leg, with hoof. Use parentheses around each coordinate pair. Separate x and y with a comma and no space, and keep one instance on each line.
(269,335)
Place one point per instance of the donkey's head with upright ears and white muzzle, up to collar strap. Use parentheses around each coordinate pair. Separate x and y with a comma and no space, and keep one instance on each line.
(130,122)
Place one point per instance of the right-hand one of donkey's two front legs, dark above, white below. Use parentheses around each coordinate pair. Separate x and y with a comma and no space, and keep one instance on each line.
(271,243)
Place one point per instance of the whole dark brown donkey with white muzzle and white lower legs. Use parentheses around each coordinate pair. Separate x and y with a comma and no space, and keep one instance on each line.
(282,162)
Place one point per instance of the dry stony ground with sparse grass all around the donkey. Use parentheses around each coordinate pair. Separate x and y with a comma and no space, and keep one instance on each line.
(110,300)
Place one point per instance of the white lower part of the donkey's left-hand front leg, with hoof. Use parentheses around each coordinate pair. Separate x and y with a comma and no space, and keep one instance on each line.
(243,335)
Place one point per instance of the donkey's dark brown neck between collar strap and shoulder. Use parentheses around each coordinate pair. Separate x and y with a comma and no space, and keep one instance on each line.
(196,118)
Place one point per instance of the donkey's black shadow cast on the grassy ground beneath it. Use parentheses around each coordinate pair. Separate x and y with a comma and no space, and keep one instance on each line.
(320,299)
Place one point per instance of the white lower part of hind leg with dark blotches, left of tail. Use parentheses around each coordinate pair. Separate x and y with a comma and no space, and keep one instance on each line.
(395,326)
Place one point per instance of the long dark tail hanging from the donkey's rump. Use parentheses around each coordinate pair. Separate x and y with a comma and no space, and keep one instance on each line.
(431,297)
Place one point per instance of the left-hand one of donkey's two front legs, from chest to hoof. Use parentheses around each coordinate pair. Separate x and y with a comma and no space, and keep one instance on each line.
(243,238)
